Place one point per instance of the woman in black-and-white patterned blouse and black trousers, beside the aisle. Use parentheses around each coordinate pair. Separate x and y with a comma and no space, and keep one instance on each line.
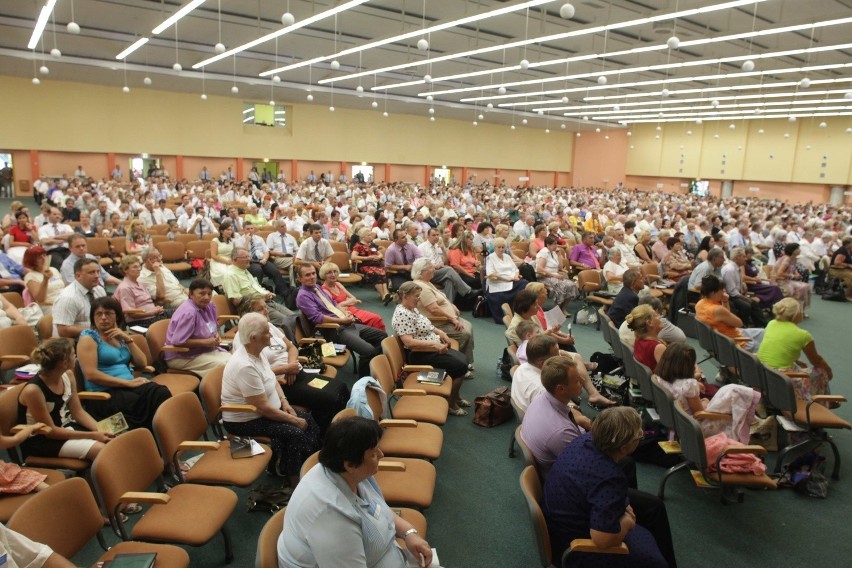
(428,345)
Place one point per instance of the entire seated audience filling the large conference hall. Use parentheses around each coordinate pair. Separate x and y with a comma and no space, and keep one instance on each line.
(274,260)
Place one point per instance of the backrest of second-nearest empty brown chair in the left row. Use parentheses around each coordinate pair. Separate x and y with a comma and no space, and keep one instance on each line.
(130,462)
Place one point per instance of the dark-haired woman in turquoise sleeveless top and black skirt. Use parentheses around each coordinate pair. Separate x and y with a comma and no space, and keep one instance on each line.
(105,352)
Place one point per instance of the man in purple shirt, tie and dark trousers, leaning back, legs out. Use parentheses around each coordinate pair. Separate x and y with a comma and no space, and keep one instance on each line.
(318,307)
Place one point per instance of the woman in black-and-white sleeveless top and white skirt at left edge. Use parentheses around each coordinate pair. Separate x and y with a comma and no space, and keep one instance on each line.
(50,398)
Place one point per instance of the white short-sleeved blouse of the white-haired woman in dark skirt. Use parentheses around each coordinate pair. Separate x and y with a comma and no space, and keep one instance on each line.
(246,375)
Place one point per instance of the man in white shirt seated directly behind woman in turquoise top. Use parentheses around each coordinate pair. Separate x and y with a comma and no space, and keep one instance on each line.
(73,305)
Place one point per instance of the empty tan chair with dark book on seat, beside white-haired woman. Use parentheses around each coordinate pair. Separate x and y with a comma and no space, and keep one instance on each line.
(178,425)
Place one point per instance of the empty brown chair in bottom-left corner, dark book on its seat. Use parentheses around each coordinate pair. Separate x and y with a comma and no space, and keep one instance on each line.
(65,517)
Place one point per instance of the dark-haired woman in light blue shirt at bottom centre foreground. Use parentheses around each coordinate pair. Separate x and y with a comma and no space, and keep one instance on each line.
(341,496)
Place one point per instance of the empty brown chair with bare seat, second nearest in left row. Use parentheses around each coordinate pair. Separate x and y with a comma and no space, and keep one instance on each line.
(186,514)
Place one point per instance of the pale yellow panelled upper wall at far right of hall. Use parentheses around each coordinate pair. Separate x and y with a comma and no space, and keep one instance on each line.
(809,155)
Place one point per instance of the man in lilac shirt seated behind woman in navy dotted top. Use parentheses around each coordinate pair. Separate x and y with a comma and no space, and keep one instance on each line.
(549,423)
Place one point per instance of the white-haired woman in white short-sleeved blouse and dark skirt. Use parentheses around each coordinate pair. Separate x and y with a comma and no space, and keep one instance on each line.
(248,378)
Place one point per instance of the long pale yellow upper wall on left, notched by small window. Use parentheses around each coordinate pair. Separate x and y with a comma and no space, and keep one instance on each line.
(77,117)
